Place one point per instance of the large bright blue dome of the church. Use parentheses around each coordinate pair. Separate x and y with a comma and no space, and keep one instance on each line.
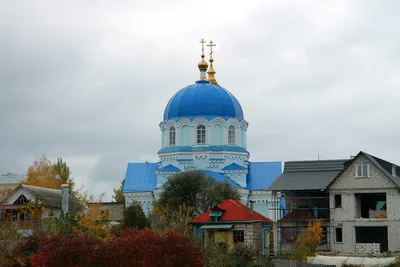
(203,100)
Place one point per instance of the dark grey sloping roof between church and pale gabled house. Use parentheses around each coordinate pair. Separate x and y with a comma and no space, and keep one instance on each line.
(307,175)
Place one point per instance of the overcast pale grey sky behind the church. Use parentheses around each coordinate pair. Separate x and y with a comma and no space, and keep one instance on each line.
(88,81)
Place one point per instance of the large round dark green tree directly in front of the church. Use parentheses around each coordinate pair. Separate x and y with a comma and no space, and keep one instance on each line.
(195,189)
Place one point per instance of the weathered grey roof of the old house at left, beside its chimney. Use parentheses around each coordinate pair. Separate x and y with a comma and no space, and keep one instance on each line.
(52,197)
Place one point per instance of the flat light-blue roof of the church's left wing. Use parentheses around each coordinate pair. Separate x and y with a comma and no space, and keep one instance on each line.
(140,177)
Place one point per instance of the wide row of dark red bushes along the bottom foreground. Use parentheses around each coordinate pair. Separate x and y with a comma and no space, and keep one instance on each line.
(132,248)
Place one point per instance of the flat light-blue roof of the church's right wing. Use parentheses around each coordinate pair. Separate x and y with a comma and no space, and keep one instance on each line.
(262,174)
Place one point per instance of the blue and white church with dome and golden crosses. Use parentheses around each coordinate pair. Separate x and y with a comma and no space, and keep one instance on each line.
(204,128)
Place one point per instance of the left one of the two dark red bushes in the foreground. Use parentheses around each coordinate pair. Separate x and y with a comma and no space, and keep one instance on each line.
(67,250)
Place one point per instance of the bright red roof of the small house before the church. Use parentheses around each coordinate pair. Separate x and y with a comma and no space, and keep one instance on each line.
(233,211)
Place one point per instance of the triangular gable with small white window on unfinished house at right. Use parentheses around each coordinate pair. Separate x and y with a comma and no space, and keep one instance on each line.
(348,178)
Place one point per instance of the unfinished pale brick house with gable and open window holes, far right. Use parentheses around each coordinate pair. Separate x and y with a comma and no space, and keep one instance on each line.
(365,206)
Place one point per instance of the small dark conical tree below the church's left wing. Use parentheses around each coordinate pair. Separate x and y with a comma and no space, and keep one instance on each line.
(134,217)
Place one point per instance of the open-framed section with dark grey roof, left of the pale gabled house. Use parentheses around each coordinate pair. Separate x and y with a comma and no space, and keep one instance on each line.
(303,187)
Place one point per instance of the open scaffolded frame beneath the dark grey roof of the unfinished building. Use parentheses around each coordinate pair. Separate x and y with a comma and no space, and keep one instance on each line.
(301,207)
